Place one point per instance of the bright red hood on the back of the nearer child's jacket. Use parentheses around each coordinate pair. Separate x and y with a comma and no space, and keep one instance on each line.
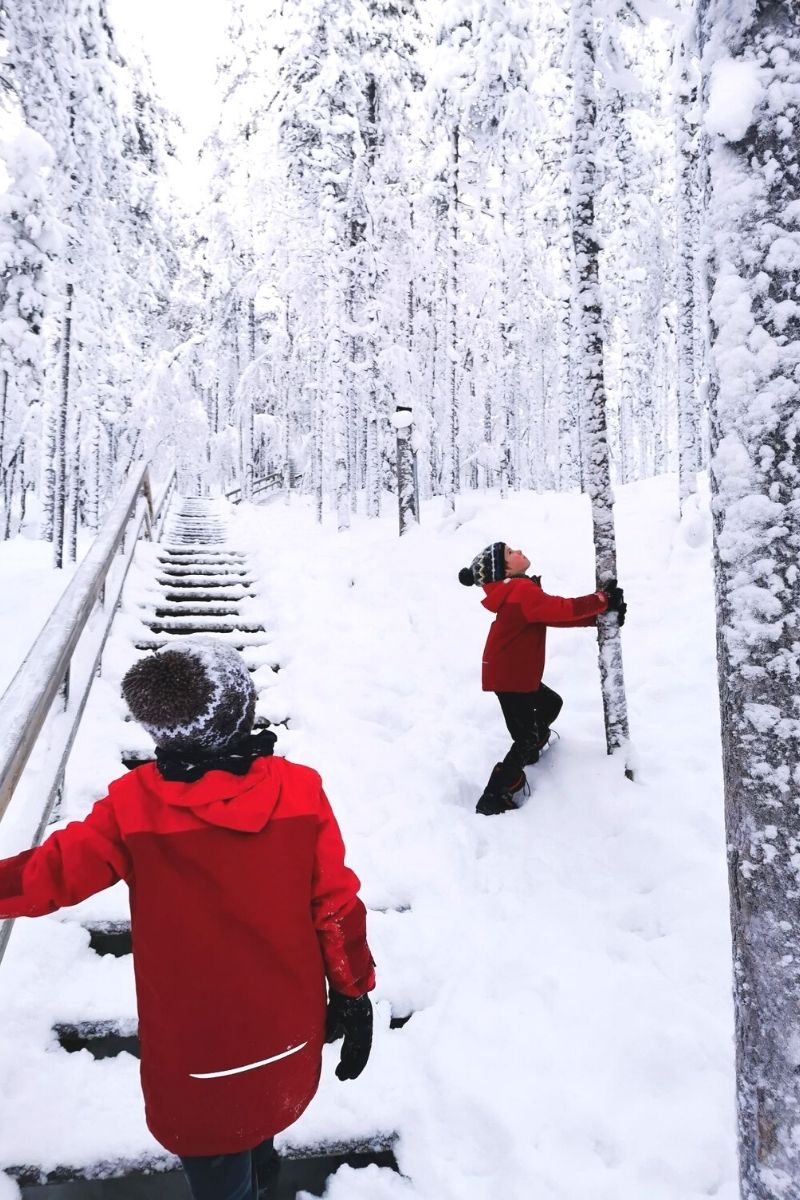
(232,802)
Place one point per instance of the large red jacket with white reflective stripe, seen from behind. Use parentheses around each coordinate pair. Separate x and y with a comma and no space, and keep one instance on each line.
(240,908)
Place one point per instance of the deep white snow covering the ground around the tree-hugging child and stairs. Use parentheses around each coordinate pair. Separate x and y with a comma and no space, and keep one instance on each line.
(568,965)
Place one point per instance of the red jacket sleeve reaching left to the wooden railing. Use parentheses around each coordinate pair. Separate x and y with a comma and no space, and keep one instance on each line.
(73,865)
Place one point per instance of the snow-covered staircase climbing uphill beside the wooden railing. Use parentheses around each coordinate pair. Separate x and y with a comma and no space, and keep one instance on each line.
(88,1036)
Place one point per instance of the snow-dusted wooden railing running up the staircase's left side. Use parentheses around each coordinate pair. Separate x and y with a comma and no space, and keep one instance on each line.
(46,670)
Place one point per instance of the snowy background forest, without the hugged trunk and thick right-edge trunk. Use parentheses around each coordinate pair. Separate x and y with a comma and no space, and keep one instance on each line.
(380,292)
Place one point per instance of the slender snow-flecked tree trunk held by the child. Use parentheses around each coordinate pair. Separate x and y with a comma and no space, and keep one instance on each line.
(590,367)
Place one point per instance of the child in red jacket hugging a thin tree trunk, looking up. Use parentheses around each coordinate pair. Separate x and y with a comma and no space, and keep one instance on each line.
(514,658)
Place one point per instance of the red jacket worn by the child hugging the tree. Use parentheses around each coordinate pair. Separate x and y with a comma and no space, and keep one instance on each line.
(514,657)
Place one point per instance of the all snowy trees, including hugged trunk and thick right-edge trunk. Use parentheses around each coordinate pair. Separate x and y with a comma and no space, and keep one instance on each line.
(446,247)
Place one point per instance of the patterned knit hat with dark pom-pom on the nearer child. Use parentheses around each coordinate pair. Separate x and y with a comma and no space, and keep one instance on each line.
(195,693)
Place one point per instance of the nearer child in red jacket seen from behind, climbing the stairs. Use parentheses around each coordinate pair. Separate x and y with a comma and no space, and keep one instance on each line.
(242,910)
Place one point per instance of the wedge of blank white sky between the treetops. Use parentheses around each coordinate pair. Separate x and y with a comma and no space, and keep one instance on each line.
(182,39)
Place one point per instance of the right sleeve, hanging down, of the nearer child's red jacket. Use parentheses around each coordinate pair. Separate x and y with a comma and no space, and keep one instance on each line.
(340,917)
